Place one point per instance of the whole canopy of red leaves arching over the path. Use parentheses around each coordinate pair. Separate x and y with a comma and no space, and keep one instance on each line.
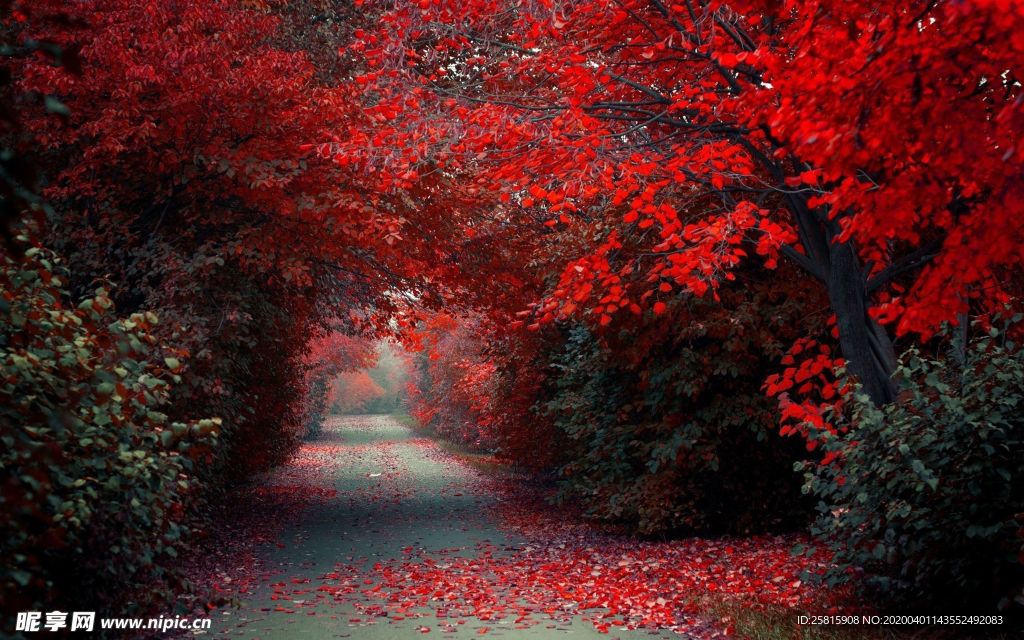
(249,174)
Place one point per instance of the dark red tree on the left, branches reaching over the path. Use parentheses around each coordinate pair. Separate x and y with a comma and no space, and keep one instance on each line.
(186,175)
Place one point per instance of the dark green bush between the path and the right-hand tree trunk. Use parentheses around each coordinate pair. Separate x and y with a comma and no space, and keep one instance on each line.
(667,424)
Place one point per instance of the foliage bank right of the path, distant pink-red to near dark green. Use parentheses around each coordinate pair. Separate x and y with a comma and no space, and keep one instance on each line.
(663,424)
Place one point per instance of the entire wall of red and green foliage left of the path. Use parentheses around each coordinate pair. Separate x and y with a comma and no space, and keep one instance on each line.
(178,185)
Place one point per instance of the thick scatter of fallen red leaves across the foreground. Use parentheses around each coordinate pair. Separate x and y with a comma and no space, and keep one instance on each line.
(614,585)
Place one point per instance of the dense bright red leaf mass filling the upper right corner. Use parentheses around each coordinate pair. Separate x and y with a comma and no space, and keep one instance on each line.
(911,116)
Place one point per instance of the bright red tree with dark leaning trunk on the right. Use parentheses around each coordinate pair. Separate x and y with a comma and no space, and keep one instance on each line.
(862,141)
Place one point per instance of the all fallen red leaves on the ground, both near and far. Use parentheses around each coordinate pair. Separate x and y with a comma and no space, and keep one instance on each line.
(562,569)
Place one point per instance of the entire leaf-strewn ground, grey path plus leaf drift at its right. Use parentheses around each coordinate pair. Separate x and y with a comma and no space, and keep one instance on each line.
(434,544)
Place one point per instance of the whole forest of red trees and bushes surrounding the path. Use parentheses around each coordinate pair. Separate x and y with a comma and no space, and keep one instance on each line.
(697,269)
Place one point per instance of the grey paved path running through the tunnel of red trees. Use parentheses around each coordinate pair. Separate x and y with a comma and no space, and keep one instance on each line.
(406,519)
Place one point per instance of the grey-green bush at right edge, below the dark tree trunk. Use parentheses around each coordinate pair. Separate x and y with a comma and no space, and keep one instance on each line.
(923,500)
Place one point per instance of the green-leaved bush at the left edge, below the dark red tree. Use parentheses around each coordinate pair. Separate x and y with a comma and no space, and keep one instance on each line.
(93,476)
